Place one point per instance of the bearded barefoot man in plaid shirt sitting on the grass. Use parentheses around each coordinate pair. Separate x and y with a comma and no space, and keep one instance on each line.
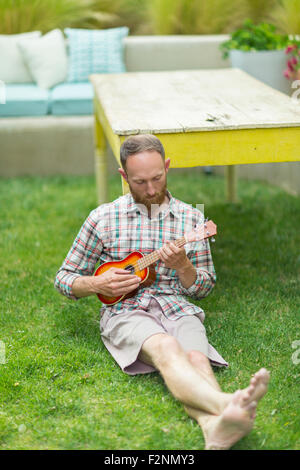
(157,328)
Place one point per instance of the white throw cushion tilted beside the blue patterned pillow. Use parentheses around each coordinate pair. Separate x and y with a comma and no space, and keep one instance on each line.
(46,58)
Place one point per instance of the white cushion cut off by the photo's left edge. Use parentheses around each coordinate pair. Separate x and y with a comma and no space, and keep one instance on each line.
(12,67)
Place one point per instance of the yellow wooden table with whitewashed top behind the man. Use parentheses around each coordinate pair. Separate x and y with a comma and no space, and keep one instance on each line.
(203,118)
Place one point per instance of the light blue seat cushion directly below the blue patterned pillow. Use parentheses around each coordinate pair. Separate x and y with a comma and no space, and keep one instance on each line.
(71,99)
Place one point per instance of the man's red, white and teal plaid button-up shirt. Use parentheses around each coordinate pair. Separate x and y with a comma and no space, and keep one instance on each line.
(114,230)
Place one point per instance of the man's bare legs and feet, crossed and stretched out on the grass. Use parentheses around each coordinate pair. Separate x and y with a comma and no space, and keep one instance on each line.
(224,418)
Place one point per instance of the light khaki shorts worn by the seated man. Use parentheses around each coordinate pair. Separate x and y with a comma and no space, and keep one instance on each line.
(124,334)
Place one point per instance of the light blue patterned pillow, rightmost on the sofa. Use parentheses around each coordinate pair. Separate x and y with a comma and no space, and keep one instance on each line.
(95,51)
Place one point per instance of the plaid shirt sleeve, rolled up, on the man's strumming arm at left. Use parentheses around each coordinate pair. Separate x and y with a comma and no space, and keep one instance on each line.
(82,257)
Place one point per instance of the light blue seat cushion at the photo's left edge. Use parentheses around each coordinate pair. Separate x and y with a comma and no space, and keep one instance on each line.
(24,100)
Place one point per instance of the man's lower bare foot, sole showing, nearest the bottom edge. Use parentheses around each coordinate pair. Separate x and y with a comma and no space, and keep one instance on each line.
(236,421)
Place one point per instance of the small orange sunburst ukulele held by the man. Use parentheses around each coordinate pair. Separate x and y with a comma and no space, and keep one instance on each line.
(142,266)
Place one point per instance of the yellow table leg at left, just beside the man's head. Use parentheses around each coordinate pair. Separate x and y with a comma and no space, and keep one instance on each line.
(100,163)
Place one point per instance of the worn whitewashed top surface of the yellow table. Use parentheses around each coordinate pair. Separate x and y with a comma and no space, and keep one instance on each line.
(190,101)
